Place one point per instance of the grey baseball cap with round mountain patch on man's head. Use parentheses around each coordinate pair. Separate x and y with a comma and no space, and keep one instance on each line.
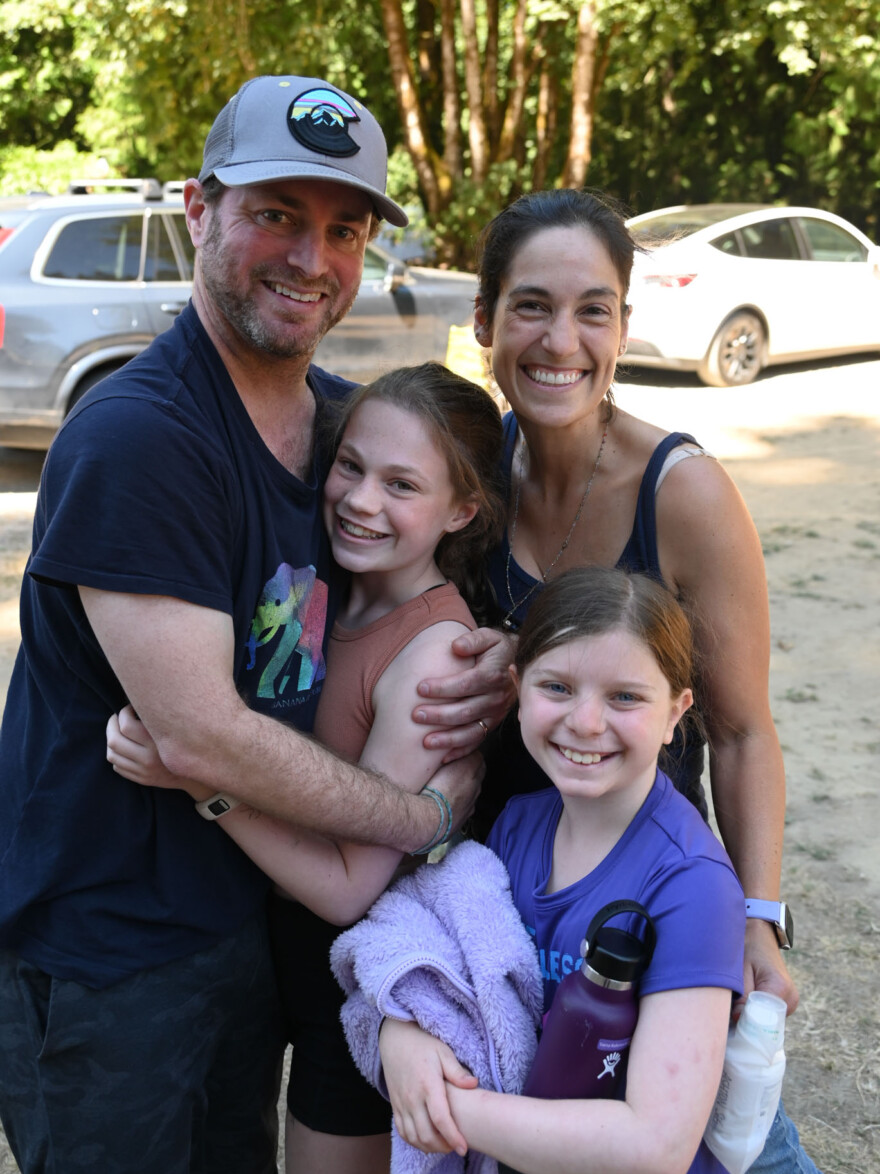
(300,129)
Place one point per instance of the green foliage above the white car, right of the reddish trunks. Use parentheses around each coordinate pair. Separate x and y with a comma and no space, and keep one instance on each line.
(730,100)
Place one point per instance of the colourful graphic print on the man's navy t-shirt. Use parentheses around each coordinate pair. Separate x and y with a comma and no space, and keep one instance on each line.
(290,622)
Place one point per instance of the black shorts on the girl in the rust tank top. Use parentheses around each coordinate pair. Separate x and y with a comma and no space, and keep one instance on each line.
(326,1090)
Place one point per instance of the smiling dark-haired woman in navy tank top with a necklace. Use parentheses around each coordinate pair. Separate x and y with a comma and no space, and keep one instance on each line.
(592,484)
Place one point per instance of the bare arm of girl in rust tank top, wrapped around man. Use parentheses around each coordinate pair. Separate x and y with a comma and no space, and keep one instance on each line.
(337,881)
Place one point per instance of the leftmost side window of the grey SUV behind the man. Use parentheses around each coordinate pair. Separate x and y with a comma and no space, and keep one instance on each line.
(98,249)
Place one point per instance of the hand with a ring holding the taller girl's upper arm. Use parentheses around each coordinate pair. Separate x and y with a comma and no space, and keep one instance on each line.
(475,701)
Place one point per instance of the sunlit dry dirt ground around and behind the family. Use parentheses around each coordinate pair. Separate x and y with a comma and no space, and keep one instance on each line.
(804,448)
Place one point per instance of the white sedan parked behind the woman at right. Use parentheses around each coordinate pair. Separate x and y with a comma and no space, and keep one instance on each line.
(729,289)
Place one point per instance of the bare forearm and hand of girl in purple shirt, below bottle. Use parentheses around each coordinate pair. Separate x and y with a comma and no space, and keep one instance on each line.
(675,1067)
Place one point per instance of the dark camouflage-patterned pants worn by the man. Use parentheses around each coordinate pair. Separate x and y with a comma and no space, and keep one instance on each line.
(171,1071)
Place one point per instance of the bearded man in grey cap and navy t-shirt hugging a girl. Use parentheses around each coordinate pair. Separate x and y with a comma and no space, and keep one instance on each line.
(180,562)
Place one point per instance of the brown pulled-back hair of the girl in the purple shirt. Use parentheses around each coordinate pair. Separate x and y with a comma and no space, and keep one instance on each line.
(591,602)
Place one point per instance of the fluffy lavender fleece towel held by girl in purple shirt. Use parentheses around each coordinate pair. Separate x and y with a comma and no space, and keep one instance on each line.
(445,947)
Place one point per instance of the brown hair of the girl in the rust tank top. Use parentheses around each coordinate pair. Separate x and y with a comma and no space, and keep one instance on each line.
(465,424)
